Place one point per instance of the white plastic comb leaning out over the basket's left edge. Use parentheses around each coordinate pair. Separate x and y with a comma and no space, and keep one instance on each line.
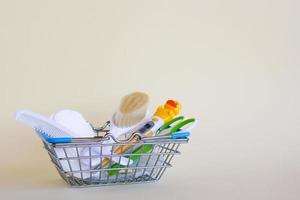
(42,124)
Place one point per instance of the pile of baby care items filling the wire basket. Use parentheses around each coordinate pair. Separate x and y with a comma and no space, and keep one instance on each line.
(131,118)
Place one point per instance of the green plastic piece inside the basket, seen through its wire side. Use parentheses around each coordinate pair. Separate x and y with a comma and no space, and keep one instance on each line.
(140,150)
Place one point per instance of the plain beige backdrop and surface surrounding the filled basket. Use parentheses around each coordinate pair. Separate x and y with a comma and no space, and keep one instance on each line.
(233,64)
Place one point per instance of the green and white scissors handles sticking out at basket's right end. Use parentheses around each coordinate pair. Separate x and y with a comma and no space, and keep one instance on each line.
(176,126)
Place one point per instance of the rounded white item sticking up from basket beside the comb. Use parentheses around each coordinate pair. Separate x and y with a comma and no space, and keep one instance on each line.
(75,122)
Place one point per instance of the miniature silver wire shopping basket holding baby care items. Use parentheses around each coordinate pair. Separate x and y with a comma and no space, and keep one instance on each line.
(80,162)
